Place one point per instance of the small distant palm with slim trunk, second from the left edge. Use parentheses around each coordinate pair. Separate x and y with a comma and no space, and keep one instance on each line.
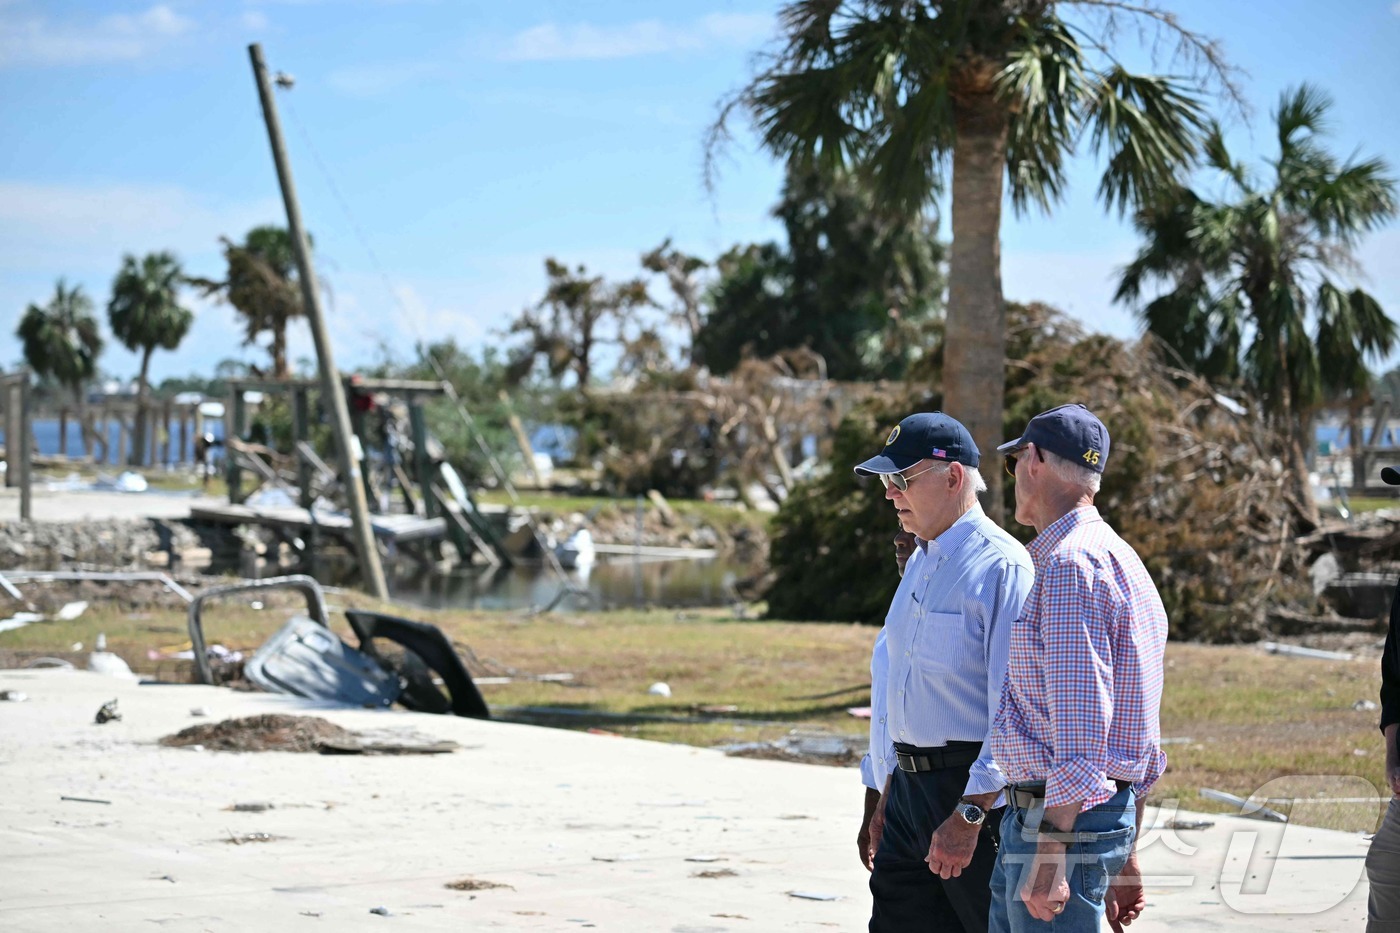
(145,315)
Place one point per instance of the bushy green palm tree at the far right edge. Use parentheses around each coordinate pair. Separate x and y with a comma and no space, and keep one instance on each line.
(1252,279)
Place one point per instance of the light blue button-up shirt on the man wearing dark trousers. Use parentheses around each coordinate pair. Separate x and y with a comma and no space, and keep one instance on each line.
(947,640)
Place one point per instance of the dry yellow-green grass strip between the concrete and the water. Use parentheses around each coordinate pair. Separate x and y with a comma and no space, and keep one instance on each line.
(1249,718)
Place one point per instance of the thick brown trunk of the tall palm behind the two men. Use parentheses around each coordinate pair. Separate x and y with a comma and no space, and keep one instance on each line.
(975,348)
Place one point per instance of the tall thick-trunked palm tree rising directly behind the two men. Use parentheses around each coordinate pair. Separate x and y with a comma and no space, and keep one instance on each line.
(979,93)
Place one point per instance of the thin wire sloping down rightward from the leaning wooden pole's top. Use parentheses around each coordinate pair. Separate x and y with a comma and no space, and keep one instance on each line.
(568,586)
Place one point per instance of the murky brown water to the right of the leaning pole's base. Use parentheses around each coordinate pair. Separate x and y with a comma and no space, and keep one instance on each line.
(612,585)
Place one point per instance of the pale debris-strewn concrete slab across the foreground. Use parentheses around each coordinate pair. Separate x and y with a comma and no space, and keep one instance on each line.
(589,831)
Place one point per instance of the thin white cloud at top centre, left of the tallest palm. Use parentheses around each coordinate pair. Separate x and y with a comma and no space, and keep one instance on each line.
(582,41)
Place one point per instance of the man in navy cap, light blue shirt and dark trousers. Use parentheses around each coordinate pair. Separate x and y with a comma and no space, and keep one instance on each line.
(941,662)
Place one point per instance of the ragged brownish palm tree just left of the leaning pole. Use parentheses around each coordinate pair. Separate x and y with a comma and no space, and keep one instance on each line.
(264,288)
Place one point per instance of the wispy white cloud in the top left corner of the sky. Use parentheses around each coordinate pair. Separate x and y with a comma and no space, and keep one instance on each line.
(34,40)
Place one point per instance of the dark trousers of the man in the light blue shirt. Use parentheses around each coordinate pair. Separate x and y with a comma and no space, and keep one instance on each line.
(909,899)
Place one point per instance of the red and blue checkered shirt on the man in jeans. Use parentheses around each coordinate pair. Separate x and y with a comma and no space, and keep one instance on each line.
(1084,683)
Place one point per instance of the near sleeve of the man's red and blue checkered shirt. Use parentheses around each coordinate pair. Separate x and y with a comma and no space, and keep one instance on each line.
(1079,670)
